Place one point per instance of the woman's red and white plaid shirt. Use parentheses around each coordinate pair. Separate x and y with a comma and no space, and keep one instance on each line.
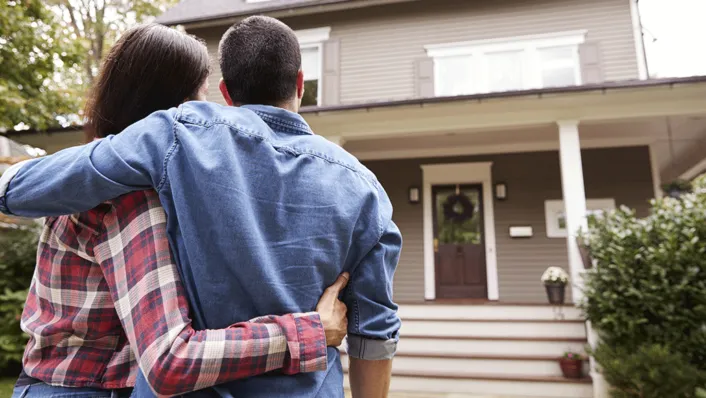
(106,291)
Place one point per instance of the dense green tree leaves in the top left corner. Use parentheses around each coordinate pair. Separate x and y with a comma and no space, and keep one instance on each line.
(33,49)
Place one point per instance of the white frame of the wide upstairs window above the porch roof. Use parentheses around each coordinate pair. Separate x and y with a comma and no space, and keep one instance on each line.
(529,45)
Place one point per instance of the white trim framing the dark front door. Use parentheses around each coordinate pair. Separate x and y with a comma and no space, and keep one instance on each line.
(459,173)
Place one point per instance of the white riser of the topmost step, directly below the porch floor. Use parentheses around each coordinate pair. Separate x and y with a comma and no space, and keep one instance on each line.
(500,312)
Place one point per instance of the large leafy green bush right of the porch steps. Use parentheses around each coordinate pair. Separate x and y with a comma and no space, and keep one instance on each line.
(646,296)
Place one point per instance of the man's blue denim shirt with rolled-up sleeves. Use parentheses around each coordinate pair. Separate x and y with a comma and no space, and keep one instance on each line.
(262,216)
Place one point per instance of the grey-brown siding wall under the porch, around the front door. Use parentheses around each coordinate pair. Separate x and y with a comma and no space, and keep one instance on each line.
(531,178)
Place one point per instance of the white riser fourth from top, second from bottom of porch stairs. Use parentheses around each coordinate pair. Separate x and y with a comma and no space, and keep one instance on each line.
(489,367)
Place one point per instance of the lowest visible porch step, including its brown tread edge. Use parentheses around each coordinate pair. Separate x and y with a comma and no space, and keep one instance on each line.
(465,386)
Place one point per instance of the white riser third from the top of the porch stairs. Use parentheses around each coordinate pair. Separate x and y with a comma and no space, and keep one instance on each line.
(487,347)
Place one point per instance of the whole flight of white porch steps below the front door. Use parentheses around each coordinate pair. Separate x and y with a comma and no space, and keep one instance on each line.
(487,351)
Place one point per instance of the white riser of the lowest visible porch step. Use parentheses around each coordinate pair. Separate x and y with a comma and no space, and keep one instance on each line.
(489,387)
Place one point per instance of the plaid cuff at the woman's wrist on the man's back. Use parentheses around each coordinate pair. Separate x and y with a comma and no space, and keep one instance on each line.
(308,351)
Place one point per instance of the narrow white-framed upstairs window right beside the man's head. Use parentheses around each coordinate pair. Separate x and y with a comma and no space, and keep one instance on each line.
(311,43)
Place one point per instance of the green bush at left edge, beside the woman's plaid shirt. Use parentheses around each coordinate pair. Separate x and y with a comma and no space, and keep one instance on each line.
(18,250)
